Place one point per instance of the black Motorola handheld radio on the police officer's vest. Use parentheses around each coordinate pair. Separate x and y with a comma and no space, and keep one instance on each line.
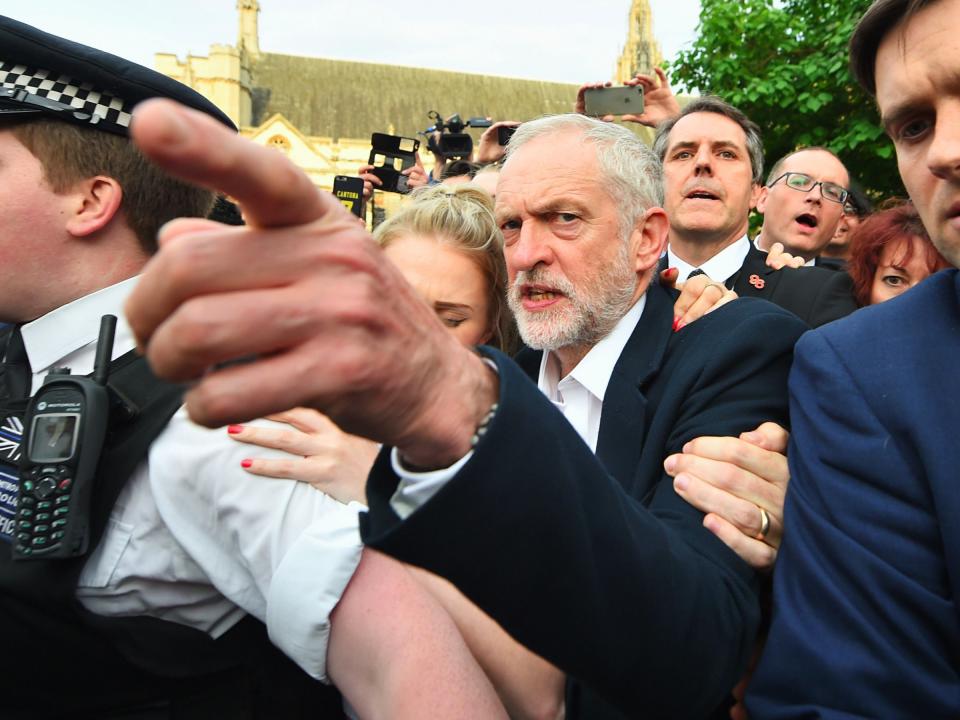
(63,435)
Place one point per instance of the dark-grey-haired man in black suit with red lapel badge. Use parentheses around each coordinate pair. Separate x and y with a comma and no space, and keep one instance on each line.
(712,158)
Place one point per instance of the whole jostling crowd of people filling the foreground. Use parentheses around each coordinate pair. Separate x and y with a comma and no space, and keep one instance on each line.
(560,439)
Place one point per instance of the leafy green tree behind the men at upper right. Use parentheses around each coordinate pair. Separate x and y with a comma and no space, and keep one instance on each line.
(784,63)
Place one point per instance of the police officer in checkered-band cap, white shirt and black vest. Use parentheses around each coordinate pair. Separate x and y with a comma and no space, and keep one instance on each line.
(168,615)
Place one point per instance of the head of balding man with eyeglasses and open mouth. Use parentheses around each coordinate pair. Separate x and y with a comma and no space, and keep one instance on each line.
(802,202)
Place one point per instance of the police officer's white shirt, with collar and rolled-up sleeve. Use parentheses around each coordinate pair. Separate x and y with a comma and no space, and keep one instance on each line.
(195,539)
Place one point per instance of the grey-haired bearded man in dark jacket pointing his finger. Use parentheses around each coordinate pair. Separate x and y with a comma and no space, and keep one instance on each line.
(556,518)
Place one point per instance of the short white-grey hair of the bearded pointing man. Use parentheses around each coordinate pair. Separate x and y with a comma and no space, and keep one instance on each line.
(630,173)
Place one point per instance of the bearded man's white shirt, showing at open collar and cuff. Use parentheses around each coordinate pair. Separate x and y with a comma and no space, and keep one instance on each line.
(579,396)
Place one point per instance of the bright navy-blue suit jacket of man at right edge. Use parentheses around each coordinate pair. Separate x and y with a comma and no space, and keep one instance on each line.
(867,588)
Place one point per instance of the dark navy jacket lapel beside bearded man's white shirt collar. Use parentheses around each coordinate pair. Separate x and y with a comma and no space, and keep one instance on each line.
(624,419)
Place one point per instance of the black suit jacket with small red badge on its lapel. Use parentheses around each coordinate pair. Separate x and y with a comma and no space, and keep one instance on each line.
(815,295)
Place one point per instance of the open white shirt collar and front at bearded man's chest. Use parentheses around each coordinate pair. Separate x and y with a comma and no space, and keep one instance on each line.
(579,396)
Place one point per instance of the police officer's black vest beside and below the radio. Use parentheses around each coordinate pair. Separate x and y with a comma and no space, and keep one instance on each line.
(61,661)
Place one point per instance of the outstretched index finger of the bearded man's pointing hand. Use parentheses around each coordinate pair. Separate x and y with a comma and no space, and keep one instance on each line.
(193,146)
